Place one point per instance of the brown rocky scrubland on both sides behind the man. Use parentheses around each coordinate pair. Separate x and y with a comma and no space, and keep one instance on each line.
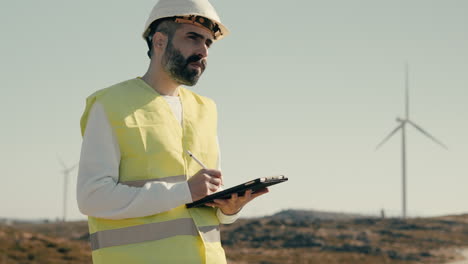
(290,236)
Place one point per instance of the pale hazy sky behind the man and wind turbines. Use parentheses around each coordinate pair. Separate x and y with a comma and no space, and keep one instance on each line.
(304,88)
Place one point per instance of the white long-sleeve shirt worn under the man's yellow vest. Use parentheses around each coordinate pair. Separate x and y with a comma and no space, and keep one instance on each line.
(99,192)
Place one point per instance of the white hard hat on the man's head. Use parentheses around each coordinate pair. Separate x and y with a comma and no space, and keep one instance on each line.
(188,11)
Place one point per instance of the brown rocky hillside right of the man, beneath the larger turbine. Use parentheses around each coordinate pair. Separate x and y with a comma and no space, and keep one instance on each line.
(359,240)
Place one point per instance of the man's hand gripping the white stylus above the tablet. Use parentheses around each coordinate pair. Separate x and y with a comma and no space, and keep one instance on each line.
(204,182)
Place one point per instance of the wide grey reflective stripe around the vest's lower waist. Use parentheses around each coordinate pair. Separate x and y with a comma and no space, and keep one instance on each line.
(151,232)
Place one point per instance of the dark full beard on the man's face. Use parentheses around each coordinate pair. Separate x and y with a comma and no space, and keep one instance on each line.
(177,66)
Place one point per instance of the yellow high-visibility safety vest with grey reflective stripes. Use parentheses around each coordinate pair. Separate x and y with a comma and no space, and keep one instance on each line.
(152,144)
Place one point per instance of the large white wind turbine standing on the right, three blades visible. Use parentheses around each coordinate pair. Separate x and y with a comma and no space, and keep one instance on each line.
(403,122)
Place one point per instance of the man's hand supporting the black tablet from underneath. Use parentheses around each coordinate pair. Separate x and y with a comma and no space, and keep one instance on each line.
(235,203)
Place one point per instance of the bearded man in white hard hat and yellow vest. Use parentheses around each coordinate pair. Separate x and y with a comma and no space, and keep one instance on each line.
(135,176)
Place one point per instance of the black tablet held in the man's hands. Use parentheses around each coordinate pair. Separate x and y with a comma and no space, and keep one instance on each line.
(240,189)
